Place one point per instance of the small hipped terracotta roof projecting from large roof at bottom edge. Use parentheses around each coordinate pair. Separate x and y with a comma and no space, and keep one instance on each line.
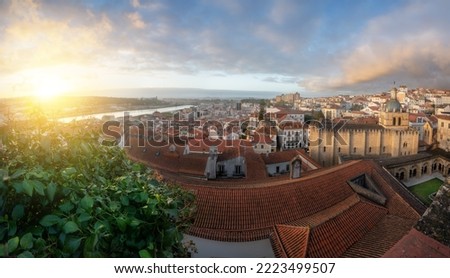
(289,241)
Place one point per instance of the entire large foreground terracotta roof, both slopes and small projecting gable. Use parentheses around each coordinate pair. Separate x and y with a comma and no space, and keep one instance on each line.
(338,218)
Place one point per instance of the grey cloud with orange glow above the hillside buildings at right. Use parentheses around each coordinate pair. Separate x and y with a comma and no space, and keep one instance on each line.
(408,45)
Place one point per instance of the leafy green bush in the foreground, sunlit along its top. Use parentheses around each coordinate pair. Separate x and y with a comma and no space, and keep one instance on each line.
(62,194)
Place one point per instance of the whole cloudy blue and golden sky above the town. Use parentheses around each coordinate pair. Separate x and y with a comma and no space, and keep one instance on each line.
(316,48)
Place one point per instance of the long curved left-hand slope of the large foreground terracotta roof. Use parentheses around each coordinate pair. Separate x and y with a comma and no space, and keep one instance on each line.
(247,209)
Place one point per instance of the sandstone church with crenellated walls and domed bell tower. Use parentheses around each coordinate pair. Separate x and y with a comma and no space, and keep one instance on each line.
(391,137)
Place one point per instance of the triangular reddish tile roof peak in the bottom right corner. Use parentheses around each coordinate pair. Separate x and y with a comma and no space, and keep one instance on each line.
(417,245)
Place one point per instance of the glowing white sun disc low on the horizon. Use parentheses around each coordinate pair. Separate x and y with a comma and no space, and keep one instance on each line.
(47,88)
